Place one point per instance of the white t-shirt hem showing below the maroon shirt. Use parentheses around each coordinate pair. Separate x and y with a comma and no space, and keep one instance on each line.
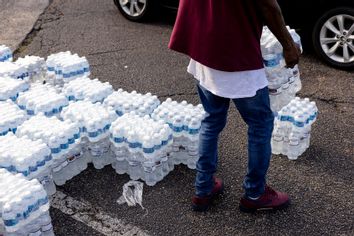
(240,84)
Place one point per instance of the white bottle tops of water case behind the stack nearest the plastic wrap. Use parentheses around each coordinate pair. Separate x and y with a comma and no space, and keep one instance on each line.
(123,102)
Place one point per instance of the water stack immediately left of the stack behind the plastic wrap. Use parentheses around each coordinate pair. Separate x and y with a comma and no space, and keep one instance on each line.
(94,121)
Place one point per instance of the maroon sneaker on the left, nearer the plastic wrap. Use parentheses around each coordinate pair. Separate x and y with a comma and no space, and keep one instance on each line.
(203,203)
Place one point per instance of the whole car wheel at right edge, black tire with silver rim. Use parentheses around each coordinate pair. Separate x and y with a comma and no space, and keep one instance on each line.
(332,39)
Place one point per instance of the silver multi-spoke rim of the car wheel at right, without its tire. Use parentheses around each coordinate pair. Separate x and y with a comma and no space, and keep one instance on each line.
(337,38)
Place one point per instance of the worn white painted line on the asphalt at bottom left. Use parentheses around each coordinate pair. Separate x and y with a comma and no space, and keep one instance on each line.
(93,217)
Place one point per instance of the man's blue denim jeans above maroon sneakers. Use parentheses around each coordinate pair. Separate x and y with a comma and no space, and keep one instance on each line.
(256,112)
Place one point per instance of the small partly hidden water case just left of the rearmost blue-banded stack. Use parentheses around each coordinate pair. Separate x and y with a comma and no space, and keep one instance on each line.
(35,66)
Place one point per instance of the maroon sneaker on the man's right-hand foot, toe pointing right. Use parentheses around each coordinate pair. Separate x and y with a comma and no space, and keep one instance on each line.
(269,200)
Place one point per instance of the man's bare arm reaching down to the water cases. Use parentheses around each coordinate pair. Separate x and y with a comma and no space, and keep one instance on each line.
(273,18)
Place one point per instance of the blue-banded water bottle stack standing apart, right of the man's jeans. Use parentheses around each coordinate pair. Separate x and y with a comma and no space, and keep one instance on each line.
(292,129)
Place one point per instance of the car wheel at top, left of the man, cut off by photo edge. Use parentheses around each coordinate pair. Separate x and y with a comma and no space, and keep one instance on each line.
(142,12)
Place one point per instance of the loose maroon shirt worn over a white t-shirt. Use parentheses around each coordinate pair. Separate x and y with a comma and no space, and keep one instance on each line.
(221,34)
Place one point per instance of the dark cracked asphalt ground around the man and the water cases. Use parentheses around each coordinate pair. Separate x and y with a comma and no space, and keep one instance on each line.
(134,56)
